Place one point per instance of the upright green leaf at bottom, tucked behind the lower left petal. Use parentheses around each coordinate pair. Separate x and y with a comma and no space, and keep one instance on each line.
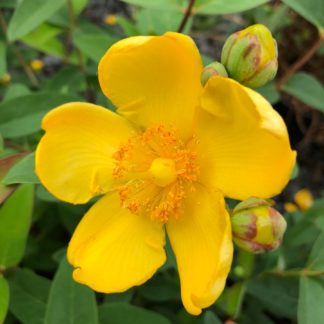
(70,302)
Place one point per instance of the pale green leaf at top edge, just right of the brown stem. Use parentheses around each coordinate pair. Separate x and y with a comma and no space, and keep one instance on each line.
(221,7)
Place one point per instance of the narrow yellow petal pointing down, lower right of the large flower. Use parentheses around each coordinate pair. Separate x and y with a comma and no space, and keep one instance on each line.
(202,243)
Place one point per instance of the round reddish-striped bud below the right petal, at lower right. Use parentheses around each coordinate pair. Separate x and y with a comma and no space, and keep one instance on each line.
(256,226)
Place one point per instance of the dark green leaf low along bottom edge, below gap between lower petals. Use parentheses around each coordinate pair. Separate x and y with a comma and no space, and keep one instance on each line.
(121,313)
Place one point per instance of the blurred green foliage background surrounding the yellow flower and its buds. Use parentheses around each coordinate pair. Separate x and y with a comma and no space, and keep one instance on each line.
(69,37)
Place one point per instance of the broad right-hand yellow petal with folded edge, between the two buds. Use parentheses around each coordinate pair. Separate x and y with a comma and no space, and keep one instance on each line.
(243,145)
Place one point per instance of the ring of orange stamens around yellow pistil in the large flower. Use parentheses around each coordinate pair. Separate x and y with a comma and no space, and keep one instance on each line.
(154,171)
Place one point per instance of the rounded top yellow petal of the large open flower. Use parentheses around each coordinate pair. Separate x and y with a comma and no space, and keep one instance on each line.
(153,79)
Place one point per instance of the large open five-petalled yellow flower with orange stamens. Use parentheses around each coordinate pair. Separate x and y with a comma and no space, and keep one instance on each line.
(164,163)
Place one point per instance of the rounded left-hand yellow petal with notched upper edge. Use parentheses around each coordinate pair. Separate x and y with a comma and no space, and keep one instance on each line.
(73,158)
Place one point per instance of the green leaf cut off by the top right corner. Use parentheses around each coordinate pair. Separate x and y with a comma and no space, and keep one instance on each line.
(312,10)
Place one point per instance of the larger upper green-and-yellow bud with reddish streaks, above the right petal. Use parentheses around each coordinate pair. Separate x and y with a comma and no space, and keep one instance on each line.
(250,56)
